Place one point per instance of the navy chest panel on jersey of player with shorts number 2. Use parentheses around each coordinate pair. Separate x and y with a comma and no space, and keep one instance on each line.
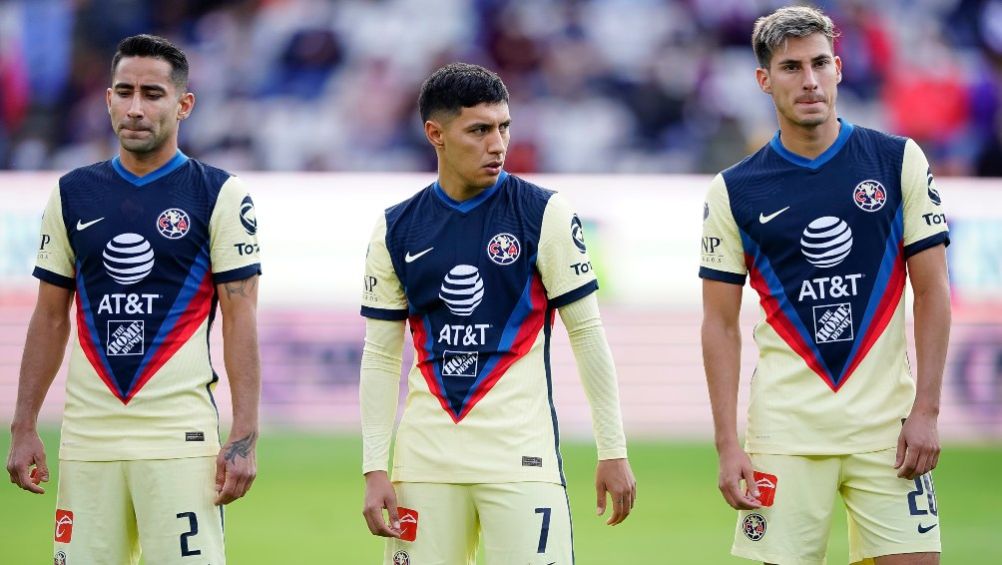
(143,257)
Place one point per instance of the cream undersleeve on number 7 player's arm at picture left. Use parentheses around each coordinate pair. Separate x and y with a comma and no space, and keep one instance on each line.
(379,389)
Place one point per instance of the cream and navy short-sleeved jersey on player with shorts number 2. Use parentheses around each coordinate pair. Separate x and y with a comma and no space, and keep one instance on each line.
(144,256)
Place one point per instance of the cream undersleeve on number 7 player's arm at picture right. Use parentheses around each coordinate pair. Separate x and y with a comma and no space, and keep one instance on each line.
(599,375)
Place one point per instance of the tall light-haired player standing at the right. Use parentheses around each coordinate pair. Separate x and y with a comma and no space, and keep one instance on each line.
(826,221)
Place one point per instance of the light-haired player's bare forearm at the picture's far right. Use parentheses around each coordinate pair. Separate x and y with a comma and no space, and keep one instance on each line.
(932,335)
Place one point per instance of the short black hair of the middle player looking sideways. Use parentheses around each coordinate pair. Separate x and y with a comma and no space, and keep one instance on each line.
(457,87)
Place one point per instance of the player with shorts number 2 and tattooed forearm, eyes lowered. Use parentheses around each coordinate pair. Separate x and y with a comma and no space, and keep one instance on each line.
(147,245)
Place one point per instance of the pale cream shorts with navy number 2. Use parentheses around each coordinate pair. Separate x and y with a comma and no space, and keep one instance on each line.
(108,511)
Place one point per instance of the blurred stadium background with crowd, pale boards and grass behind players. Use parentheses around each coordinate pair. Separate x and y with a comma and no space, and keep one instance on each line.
(626,106)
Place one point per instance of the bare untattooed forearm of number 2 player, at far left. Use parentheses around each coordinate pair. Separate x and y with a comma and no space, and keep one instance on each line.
(44,354)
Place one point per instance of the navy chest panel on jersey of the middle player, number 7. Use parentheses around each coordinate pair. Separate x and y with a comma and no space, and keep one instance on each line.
(467,309)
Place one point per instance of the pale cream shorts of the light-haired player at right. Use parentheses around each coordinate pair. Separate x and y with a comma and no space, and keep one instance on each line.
(887,515)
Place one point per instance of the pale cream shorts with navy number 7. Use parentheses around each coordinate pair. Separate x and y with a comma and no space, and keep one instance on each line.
(525,523)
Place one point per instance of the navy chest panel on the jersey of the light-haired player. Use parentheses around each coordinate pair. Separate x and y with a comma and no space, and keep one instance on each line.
(824,243)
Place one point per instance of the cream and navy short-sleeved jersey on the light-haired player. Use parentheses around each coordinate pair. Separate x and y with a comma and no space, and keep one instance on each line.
(824,243)
